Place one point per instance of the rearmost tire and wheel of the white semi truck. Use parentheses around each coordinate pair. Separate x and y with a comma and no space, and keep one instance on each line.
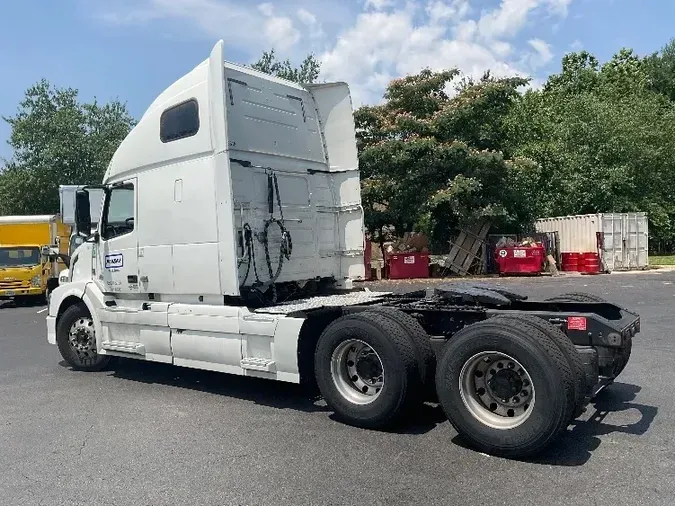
(534,377)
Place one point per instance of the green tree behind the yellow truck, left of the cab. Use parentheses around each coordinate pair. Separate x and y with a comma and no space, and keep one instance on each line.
(57,140)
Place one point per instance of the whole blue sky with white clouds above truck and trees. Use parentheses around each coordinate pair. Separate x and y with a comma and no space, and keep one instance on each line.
(133,49)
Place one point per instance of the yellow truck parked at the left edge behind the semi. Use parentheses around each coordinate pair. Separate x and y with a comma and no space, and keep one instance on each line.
(30,261)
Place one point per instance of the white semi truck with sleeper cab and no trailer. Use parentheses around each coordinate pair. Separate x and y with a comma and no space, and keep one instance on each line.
(230,237)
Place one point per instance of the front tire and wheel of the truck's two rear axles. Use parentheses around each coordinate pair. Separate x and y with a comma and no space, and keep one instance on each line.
(366,369)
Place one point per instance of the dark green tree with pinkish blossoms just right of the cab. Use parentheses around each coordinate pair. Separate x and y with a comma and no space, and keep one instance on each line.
(432,162)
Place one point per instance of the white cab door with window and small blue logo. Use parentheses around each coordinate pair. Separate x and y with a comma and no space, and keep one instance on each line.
(117,261)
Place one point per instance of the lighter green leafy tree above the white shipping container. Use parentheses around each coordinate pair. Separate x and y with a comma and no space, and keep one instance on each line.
(603,138)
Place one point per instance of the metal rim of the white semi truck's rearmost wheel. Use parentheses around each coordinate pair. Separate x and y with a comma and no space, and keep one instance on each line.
(497,390)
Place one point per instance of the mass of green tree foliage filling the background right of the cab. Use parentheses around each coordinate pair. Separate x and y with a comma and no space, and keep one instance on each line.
(596,138)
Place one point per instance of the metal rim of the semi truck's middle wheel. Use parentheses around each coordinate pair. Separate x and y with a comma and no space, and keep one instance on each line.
(357,371)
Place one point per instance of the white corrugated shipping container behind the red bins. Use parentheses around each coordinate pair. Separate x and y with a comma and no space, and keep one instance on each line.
(624,237)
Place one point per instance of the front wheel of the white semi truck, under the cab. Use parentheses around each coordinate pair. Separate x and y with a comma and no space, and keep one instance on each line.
(76,340)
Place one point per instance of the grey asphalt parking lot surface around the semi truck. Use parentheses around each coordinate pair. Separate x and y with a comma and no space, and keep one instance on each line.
(153,434)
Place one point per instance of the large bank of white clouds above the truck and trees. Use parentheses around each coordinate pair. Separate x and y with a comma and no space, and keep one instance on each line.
(380,40)
